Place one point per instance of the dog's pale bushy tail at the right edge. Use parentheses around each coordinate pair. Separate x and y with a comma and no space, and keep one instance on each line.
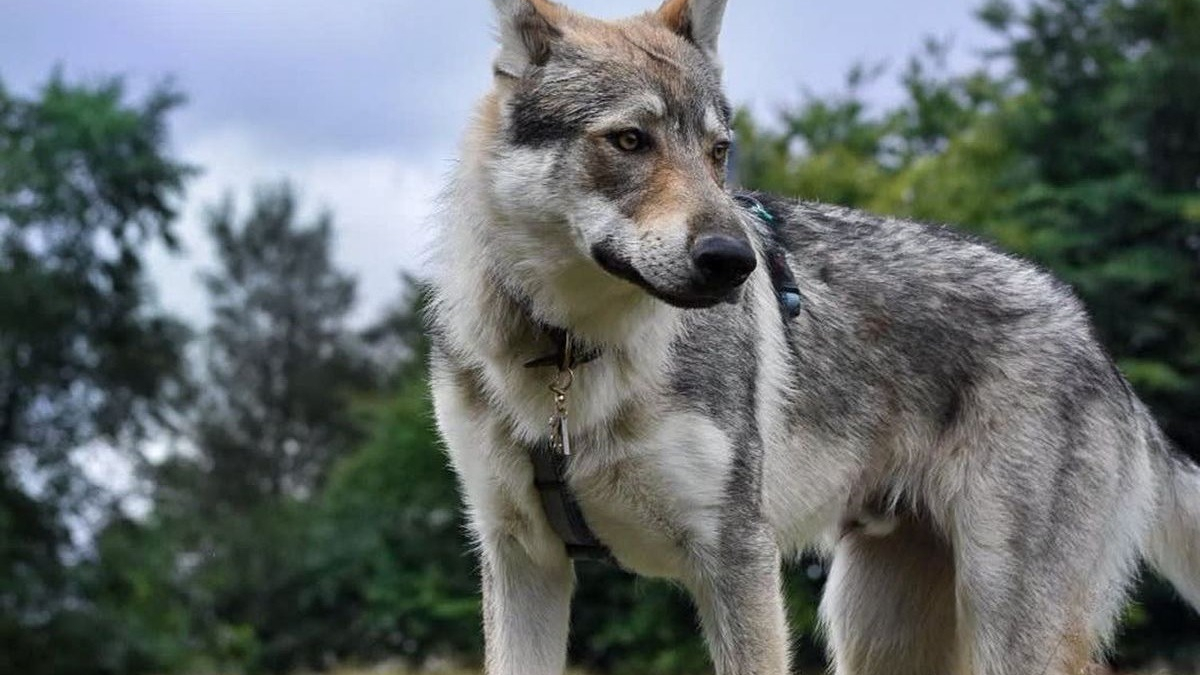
(1175,537)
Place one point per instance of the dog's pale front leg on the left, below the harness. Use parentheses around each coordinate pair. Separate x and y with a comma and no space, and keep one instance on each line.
(526,610)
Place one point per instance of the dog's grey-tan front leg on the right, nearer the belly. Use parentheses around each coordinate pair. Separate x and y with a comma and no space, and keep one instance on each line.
(741,602)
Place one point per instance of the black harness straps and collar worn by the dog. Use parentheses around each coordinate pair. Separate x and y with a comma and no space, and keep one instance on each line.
(557,499)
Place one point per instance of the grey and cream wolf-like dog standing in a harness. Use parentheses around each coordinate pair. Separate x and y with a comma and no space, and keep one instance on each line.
(939,420)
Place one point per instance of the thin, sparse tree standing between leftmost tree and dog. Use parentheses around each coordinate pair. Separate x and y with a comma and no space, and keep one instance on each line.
(239,507)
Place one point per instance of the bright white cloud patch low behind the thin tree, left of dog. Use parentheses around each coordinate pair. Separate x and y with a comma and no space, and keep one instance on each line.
(381,206)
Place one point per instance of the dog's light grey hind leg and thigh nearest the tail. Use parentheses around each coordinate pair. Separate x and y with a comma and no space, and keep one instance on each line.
(1046,535)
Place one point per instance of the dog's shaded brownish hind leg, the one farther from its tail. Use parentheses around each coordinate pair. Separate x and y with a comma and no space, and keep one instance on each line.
(889,606)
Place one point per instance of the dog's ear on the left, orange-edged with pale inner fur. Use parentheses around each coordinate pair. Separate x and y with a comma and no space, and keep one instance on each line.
(527,33)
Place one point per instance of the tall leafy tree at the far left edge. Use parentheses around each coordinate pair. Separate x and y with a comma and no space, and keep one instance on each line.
(86,183)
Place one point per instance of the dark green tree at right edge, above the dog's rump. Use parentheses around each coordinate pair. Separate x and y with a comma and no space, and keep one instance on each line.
(1106,120)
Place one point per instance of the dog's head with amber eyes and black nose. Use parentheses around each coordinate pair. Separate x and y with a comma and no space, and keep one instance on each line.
(617,133)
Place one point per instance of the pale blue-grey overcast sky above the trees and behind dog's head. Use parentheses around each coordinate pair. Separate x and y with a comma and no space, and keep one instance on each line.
(361,103)
